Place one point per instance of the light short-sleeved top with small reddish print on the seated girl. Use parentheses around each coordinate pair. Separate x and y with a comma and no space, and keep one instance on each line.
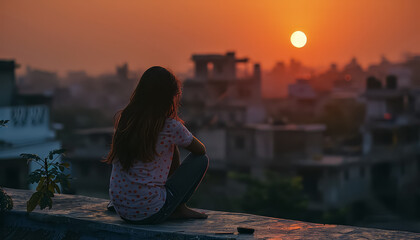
(140,192)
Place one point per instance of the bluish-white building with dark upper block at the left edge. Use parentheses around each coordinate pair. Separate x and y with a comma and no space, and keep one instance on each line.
(28,130)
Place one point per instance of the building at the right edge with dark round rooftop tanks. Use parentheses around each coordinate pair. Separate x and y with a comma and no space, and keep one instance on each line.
(391,136)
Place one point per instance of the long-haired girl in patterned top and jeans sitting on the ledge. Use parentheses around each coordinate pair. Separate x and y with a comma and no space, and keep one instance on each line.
(148,184)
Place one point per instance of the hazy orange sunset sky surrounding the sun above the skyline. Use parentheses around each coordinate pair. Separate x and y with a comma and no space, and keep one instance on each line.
(95,35)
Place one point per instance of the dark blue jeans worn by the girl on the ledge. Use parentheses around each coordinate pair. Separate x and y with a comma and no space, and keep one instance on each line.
(179,187)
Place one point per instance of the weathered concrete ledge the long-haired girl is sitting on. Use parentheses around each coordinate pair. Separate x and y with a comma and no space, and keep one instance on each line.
(79,217)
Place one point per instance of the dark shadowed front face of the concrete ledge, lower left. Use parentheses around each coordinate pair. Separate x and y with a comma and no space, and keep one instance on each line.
(58,226)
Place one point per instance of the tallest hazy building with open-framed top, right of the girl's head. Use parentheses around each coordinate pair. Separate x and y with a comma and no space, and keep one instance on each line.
(225,97)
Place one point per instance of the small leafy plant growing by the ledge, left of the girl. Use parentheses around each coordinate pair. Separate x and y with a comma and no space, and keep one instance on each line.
(48,176)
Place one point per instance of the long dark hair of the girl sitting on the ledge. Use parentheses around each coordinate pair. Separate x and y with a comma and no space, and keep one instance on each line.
(137,126)
